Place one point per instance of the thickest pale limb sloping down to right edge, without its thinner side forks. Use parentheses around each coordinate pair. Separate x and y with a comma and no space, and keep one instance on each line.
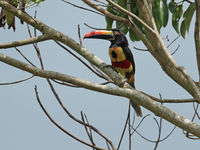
(164,58)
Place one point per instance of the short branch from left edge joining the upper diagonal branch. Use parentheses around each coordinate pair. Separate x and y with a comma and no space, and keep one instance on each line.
(40,38)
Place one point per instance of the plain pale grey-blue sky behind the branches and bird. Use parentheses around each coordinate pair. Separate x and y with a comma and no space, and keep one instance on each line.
(23,125)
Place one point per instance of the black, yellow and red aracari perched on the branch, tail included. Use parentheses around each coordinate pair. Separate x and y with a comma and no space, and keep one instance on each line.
(121,57)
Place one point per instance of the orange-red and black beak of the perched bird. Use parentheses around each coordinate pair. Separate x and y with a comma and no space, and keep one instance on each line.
(100,34)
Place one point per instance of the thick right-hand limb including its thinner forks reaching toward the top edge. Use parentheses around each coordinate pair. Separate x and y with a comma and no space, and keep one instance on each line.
(157,49)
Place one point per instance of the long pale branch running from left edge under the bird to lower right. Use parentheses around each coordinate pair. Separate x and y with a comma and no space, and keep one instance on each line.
(138,97)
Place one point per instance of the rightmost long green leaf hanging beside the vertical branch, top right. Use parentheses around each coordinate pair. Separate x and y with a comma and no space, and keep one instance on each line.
(187,17)
